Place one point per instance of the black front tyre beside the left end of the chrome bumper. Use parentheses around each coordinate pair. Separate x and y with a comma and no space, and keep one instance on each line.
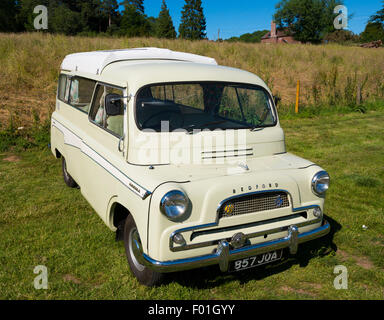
(143,274)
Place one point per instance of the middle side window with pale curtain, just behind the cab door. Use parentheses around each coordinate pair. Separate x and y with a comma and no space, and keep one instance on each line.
(80,93)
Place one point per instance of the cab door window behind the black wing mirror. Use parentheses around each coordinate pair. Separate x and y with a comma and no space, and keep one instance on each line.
(110,119)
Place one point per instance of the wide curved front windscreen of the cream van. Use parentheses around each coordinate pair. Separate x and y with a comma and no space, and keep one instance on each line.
(205,105)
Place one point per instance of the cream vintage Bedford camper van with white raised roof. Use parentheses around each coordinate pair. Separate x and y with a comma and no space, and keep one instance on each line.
(185,160)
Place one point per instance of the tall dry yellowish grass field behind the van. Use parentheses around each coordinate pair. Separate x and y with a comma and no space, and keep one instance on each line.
(329,74)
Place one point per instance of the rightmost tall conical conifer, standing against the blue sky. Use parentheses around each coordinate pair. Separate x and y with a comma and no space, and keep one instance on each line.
(193,23)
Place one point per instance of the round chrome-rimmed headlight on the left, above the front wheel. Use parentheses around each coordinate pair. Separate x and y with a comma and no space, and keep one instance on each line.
(175,205)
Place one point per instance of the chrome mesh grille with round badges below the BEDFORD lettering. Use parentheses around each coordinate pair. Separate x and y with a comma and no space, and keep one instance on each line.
(254,203)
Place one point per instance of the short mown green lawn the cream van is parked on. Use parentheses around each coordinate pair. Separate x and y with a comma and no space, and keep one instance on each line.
(42,222)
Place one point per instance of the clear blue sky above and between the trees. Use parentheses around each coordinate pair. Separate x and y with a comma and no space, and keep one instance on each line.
(235,17)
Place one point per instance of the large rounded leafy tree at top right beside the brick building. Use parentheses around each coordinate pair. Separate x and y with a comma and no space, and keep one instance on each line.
(307,20)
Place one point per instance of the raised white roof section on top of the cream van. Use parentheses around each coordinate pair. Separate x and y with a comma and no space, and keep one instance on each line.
(94,62)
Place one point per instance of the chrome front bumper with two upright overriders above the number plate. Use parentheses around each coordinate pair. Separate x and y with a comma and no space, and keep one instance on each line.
(224,253)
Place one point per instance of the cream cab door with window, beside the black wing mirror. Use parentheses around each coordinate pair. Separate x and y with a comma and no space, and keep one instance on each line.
(105,148)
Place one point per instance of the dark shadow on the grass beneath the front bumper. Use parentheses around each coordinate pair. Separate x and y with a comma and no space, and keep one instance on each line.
(211,277)
